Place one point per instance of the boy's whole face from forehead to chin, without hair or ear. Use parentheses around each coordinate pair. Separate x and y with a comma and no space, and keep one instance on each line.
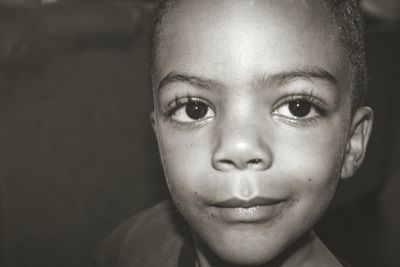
(252,116)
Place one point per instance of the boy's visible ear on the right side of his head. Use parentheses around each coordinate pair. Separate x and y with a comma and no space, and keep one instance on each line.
(360,131)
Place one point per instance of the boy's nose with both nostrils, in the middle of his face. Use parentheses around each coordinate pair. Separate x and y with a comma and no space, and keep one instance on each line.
(242,146)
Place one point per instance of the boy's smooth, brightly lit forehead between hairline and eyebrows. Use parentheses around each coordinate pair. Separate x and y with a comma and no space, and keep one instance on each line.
(234,39)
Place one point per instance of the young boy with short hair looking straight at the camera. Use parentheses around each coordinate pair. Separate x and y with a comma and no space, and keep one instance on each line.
(258,113)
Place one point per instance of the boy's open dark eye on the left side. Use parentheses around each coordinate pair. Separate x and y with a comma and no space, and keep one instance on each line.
(192,110)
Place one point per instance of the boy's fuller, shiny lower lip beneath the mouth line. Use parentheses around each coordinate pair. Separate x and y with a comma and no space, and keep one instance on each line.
(256,214)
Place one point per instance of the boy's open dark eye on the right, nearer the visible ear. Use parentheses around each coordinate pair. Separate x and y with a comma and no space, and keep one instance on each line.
(299,108)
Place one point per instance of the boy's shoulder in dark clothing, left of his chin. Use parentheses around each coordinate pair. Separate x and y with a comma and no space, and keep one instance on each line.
(150,238)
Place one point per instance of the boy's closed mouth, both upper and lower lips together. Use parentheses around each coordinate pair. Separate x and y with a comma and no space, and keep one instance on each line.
(255,210)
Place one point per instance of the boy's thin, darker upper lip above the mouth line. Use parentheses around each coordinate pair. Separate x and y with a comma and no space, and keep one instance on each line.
(248,203)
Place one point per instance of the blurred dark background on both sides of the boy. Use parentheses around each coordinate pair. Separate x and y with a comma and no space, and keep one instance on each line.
(78,156)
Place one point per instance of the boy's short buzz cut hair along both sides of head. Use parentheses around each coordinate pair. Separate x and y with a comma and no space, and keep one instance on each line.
(348,27)
